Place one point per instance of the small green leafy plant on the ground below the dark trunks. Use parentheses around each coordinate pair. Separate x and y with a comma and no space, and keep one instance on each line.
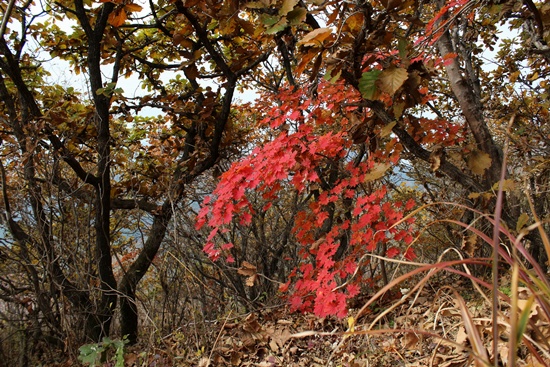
(95,354)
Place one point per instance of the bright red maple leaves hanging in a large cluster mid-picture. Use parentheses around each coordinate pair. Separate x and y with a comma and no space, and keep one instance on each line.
(310,134)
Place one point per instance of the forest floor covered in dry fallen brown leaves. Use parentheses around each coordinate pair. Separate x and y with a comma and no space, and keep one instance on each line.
(424,329)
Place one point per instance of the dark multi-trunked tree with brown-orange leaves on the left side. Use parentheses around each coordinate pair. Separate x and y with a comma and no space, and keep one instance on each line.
(82,169)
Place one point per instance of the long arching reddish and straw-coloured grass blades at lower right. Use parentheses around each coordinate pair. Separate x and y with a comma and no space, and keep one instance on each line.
(520,321)
